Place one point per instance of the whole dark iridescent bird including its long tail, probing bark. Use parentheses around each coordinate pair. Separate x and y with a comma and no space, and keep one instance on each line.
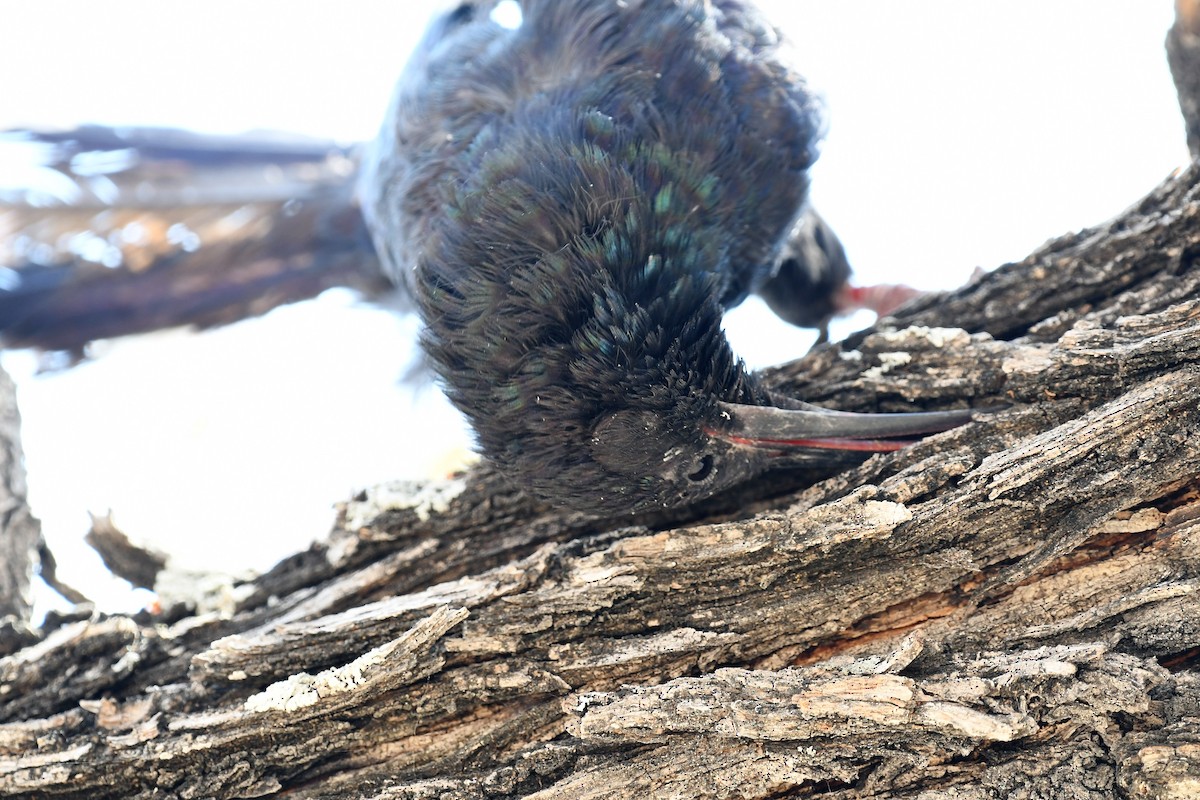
(571,203)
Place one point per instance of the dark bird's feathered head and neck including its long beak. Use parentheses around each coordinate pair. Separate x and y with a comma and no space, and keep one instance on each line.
(623,394)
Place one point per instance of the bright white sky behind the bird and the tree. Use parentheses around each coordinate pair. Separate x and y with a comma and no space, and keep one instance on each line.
(962,135)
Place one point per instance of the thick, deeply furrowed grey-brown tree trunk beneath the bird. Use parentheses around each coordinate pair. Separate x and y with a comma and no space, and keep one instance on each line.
(1010,610)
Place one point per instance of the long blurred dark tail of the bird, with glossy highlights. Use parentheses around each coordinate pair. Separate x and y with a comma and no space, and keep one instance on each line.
(106,232)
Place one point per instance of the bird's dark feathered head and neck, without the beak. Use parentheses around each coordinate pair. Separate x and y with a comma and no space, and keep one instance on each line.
(626,414)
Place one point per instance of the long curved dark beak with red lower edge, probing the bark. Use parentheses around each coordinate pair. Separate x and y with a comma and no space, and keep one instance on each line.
(818,429)
